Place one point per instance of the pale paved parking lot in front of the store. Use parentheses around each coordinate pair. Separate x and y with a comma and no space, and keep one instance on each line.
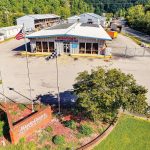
(43,73)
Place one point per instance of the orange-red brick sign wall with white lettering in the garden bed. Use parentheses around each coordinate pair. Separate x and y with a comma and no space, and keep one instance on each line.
(26,127)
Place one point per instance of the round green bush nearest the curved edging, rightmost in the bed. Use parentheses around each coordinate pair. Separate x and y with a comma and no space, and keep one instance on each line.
(85,130)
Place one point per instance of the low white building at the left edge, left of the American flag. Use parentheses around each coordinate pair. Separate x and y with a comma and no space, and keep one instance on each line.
(10,32)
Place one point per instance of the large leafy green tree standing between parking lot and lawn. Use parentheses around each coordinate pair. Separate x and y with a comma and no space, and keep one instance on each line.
(102,93)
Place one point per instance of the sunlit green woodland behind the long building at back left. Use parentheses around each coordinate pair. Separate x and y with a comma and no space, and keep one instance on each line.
(12,9)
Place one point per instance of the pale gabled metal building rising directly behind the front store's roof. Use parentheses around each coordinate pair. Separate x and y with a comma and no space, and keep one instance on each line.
(88,18)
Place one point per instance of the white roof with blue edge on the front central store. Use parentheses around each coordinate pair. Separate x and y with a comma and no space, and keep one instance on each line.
(77,30)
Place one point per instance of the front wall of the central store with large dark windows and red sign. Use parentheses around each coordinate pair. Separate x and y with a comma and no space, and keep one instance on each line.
(68,45)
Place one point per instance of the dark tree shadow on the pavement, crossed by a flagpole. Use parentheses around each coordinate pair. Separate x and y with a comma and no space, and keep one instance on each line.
(67,99)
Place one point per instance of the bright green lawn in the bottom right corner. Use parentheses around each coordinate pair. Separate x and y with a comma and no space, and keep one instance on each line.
(129,134)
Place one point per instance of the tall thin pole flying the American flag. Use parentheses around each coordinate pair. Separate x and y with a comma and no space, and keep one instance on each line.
(27,60)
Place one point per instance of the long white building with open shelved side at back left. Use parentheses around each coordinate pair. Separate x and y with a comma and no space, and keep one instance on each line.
(38,21)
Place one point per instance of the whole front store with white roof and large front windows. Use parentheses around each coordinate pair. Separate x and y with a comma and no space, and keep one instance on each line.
(78,38)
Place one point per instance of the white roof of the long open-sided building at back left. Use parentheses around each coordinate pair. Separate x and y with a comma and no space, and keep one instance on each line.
(40,16)
